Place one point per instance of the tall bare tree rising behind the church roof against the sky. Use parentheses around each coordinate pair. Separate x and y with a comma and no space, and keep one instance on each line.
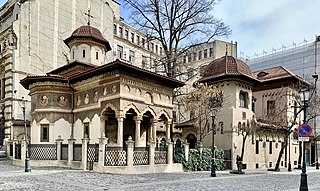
(178,25)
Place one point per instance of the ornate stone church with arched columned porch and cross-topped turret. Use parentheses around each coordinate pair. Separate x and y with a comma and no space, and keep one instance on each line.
(89,100)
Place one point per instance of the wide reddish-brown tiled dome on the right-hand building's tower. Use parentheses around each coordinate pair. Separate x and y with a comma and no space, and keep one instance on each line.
(227,66)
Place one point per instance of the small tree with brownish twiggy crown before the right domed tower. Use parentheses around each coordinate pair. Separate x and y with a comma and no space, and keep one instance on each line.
(204,100)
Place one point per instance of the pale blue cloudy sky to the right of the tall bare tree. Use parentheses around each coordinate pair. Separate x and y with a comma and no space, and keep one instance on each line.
(261,25)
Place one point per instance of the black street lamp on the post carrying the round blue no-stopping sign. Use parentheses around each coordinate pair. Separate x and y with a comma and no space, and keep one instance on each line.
(304,95)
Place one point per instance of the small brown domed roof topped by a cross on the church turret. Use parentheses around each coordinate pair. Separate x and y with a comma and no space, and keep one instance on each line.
(87,31)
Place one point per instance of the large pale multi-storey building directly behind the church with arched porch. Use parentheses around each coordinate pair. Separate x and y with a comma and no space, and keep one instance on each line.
(31,39)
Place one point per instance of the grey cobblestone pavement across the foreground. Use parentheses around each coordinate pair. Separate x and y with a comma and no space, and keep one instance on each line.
(14,178)
